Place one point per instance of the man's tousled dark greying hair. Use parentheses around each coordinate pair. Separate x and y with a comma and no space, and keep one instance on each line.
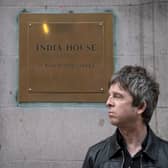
(141,85)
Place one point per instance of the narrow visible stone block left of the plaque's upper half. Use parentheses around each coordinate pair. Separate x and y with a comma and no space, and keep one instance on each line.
(9,31)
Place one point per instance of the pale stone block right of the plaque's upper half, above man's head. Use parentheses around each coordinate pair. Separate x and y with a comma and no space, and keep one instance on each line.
(126,31)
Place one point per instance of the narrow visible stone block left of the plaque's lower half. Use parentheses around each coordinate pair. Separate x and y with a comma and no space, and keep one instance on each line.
(9,80)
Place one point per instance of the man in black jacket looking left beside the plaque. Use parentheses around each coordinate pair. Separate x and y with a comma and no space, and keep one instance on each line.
(133,96)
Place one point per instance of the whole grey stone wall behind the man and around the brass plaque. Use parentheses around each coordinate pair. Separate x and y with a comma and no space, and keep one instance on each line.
(57,135)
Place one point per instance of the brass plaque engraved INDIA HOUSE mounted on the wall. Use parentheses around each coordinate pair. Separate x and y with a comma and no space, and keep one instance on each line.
(65,57)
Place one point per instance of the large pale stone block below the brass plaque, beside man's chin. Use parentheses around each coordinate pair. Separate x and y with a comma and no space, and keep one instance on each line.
(51,133)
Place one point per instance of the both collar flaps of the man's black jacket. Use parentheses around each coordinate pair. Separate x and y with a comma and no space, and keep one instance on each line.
(150,150)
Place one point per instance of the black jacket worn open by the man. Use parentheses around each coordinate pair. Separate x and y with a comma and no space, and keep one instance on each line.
(108,153)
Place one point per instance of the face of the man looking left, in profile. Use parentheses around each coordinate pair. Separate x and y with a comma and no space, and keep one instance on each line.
(121,112)
